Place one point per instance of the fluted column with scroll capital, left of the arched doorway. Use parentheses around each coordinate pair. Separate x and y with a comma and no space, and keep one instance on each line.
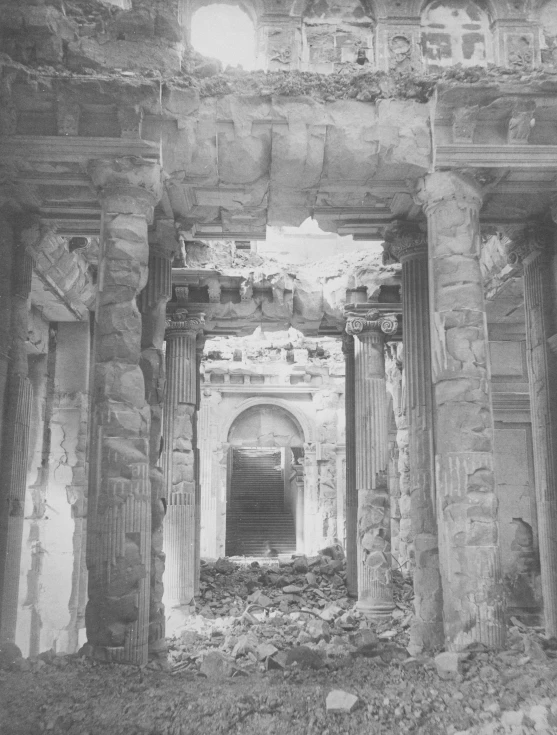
(179,460)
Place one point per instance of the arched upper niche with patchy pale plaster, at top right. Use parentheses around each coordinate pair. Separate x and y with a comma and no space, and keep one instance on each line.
(456,32)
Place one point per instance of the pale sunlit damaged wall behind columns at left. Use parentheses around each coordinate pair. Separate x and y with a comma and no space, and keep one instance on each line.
(53,574)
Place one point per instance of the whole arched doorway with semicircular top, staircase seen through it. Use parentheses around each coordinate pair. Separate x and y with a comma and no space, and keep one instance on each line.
(264,496)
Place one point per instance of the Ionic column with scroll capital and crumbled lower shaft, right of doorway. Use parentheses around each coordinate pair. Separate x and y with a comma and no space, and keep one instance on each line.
(375,592)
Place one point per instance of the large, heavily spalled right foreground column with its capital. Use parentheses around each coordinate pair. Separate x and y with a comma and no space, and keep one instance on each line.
(471,575)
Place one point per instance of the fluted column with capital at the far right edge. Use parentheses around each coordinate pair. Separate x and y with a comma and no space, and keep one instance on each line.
(533,248)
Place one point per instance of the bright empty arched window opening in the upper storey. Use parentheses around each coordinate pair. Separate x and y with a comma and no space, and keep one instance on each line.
(226,33)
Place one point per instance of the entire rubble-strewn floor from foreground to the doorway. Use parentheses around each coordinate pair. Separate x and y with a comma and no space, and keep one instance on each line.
(266,646)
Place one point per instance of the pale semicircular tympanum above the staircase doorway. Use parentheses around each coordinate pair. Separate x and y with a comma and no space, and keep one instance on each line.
(266,425)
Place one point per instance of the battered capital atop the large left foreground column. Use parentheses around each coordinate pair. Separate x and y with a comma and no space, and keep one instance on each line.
(128,185)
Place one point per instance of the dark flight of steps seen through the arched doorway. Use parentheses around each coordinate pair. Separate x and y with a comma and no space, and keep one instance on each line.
(256,513)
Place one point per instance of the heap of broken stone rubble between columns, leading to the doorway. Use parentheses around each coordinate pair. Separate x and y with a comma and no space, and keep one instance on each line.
(295,613)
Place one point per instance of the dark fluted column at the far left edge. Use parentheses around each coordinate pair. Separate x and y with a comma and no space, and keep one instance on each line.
(15,444)
